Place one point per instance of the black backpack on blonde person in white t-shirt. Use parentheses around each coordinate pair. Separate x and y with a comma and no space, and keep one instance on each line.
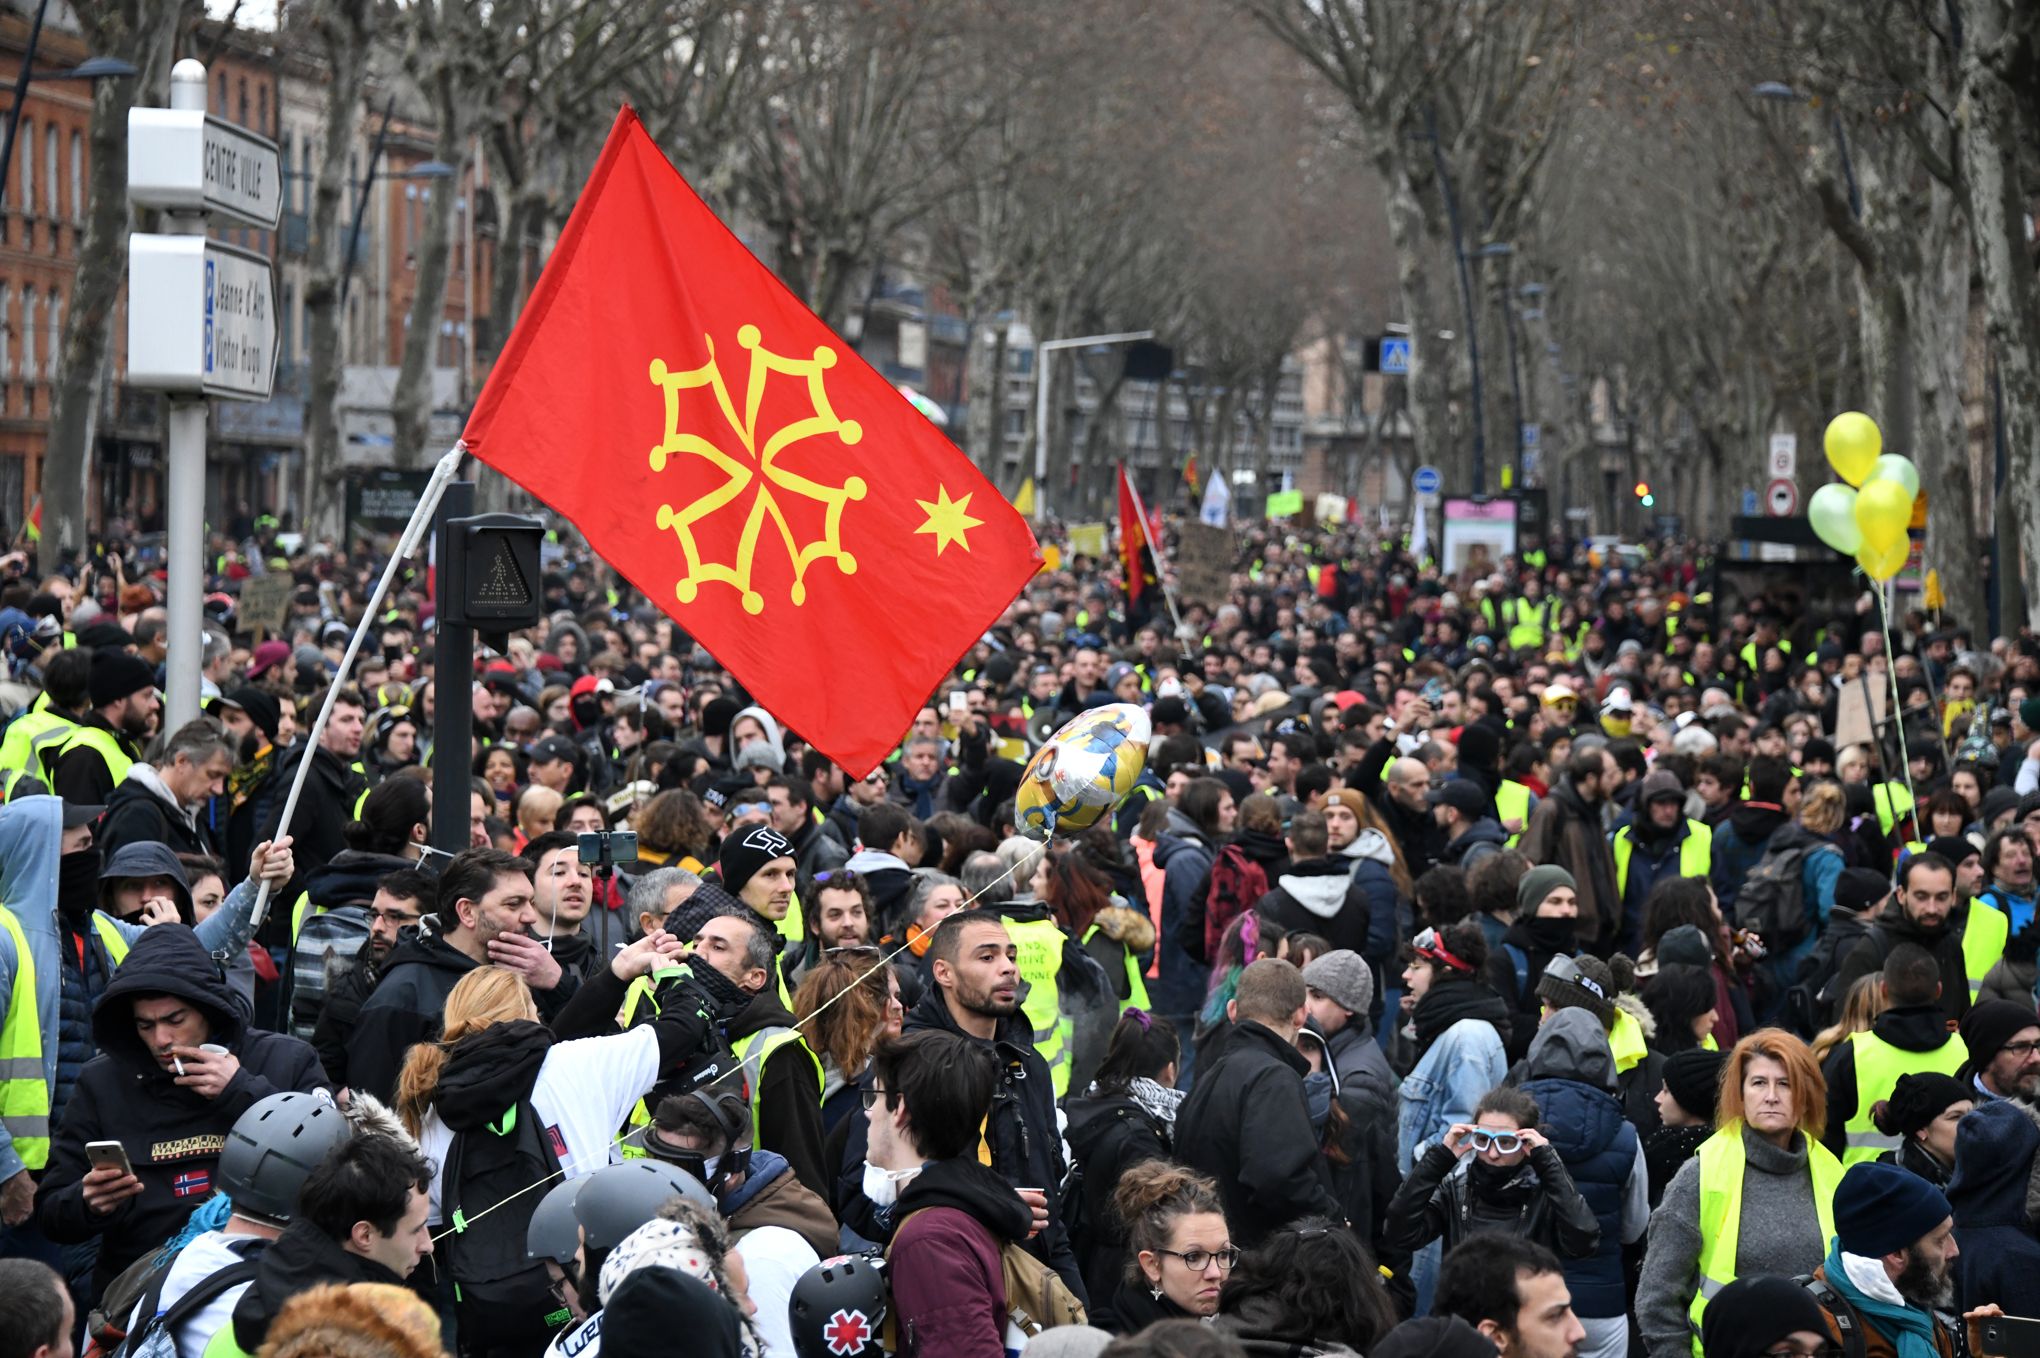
(501,1296)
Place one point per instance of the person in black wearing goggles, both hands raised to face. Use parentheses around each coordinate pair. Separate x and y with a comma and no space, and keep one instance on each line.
(1496,1173)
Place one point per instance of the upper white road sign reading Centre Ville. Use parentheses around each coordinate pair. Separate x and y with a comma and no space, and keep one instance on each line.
(193,162)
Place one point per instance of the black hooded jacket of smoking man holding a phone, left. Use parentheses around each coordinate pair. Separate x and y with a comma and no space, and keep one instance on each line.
(172,1135)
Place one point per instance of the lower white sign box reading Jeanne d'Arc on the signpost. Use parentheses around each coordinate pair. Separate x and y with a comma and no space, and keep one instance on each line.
(201,319)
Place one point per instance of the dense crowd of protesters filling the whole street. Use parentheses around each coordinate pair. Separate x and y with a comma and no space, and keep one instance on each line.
(1539,959)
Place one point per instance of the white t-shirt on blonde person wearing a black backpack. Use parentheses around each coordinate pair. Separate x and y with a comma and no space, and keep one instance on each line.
(584,1094)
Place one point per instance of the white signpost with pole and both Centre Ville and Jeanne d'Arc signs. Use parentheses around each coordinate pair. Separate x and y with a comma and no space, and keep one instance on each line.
(201,315)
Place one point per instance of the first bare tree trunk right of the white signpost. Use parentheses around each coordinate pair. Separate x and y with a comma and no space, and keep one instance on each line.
(344,30)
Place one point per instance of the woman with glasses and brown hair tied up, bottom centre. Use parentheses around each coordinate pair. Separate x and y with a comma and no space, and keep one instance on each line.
(1178,1249)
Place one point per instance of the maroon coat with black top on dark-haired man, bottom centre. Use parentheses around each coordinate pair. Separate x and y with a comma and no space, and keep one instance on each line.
(943,1263)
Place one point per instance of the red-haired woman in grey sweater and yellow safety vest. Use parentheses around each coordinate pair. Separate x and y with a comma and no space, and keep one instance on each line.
(1757,1200)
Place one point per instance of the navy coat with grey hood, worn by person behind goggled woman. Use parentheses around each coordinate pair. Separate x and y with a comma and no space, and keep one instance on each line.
(1574,1080)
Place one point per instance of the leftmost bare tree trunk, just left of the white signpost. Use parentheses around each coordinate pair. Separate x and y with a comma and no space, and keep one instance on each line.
(68,456)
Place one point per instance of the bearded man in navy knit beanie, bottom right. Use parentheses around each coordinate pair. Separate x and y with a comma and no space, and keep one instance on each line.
(1890,1265)
